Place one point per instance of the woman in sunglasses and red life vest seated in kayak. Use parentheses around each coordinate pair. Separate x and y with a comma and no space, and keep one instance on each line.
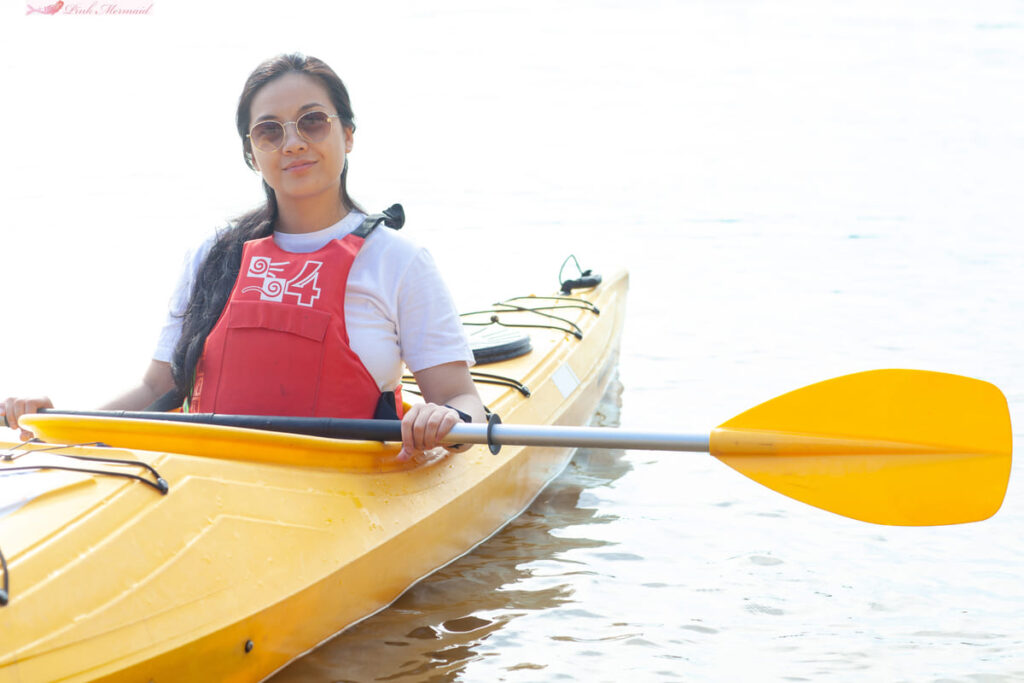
(303,307)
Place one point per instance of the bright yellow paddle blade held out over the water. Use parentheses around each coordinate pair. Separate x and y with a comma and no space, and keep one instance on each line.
(890,447)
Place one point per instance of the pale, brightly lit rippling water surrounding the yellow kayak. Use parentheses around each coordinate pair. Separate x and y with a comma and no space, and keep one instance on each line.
(799,191)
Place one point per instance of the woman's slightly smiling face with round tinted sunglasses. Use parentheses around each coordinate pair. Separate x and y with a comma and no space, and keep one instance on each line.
(300,169)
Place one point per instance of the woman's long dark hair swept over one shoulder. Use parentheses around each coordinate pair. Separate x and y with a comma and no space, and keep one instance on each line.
(218,274)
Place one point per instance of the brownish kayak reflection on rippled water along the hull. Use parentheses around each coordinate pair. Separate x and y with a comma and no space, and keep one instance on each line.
(441,625)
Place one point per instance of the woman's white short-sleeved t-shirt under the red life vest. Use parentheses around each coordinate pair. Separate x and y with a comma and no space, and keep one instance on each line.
(398,309)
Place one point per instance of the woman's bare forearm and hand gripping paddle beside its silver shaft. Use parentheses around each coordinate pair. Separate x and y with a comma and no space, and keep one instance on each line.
(425,425)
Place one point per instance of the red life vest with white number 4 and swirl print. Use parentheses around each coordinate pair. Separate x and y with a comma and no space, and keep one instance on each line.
(281,347)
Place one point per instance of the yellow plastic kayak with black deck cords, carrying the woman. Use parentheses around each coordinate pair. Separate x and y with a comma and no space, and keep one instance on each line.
(222,554)
